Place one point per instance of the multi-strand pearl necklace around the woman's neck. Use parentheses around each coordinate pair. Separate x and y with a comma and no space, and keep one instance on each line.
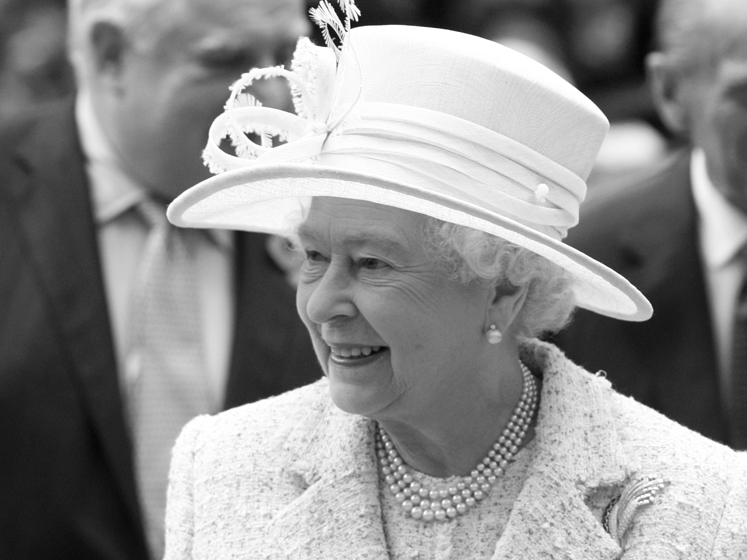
(447,503)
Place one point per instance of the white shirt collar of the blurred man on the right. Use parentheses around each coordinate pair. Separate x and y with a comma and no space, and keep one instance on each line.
(723,228)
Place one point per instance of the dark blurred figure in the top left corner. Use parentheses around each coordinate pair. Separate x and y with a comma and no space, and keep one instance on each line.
(33,65)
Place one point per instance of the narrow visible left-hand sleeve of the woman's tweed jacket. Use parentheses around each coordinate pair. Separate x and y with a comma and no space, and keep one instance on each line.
(180,505)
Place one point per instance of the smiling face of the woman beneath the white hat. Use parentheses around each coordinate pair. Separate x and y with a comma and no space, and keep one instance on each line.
(396,339)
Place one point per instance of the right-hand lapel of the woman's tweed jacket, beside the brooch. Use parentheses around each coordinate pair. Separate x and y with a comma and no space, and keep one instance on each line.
(577,452)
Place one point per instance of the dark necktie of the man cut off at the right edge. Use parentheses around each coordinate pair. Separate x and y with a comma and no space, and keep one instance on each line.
(739,365)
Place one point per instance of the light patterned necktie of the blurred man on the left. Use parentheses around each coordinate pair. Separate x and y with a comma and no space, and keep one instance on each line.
(167,384)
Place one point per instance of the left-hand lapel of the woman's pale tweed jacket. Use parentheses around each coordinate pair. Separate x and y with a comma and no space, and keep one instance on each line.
(339,515)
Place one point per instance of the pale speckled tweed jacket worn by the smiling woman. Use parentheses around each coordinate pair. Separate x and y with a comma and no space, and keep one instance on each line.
(294,477)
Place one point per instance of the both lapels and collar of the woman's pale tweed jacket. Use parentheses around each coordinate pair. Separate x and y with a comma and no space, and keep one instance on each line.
(577,451)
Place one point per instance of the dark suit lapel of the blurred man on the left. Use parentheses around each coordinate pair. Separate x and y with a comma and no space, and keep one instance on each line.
(51,193)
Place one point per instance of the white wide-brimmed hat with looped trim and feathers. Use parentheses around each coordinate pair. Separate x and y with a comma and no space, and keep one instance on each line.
(432,121)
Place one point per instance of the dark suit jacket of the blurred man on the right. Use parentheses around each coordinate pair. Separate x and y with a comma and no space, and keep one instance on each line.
(647,232)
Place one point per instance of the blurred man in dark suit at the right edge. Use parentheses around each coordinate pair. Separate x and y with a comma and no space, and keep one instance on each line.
(679,233)
